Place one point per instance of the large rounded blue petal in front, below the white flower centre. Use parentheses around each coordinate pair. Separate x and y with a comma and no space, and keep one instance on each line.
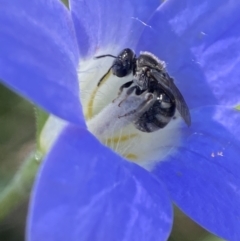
(86,192)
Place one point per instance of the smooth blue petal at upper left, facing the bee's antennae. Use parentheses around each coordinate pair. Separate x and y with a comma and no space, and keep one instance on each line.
(39,55)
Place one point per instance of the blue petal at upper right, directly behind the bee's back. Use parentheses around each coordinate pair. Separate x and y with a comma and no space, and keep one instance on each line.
(200,41)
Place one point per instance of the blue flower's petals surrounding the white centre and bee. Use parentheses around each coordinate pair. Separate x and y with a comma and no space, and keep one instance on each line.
(85,191)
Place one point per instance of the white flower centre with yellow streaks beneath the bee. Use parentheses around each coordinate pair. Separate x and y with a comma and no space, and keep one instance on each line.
(110,117)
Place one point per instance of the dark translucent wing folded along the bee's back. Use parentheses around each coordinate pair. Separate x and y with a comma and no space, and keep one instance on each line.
(168,86)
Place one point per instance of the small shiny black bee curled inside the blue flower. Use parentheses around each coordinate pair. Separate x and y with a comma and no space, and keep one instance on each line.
(151,80)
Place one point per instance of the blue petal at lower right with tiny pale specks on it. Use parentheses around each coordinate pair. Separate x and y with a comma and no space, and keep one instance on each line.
(202,175)
